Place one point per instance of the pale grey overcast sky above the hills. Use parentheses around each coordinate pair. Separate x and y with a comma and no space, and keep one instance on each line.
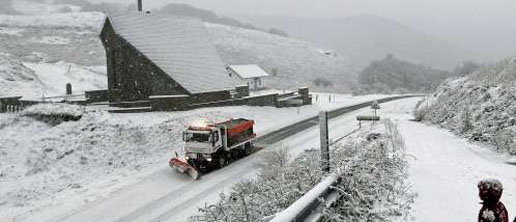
(455,20)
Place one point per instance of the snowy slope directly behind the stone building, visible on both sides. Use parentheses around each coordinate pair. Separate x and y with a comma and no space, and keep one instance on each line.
(49,43)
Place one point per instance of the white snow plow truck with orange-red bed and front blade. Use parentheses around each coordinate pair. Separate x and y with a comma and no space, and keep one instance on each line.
(210,146)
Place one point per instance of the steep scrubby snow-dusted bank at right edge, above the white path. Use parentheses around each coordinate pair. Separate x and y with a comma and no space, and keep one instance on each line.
(482,106)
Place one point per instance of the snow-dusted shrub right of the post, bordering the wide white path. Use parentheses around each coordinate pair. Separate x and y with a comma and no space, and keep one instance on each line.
(373,187)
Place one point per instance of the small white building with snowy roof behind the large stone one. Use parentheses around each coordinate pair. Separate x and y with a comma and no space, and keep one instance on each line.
(251,73)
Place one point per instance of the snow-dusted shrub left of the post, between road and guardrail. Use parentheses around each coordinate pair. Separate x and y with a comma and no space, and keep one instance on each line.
(279,184)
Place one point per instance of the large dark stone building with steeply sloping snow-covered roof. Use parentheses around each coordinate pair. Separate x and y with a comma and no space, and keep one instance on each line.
(158,55)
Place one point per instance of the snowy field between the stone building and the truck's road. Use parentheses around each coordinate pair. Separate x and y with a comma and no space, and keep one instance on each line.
(74,163)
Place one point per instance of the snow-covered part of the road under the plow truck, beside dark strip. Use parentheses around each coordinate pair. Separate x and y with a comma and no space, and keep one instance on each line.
(169,196)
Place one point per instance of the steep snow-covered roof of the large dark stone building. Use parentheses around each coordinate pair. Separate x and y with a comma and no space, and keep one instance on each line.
(181,47)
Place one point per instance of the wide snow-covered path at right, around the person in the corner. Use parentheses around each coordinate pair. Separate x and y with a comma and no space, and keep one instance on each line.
(445,170)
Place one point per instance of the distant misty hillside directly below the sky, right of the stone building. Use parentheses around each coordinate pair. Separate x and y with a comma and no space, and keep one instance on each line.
(365,38)
